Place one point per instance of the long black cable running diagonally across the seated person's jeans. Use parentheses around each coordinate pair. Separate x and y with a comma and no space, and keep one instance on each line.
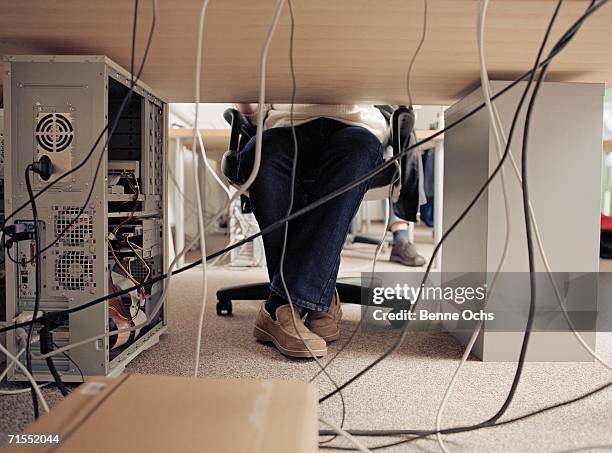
(307,208)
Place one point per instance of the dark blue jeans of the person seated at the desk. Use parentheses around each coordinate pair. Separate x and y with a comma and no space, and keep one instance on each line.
(331,154)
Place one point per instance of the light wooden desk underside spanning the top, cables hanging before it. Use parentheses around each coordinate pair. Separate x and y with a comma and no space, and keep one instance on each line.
(345,50)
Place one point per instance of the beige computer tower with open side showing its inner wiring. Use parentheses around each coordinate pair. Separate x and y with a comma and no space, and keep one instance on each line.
(57,106)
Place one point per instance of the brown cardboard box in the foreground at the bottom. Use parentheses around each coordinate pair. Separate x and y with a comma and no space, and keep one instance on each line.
(161,414)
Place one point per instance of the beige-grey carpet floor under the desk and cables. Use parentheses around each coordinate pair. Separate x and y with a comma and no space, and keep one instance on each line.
(402,392)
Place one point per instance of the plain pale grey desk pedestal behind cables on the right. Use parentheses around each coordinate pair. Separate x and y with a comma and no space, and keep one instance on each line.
(565,146)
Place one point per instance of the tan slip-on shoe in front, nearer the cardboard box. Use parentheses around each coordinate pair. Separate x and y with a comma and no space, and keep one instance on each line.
(283,335)
